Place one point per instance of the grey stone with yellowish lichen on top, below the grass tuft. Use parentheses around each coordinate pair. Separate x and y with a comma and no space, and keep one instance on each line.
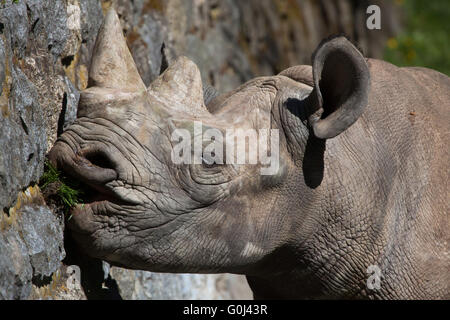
(31,245)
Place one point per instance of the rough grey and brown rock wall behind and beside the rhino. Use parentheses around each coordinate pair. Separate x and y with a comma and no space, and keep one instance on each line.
(45,50)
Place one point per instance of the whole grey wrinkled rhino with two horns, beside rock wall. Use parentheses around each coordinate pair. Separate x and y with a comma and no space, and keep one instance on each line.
(362,179)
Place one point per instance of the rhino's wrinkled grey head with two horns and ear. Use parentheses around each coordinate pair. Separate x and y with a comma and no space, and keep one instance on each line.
(150,212)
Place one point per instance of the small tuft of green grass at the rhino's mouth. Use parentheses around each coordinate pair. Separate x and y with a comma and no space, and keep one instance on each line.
(68,192)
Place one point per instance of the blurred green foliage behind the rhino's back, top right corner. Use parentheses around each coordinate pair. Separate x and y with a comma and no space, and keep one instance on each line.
(426,39)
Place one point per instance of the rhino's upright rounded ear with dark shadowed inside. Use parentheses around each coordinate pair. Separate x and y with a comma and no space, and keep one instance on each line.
(341,87)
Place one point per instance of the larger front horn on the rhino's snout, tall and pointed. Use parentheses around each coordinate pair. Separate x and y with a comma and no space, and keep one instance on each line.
(112,64)
